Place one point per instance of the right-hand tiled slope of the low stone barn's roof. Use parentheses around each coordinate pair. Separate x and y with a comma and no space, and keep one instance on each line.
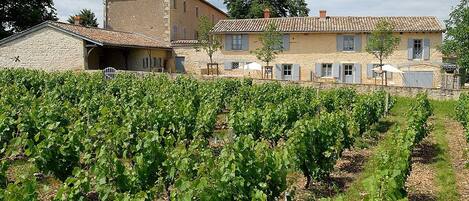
(112,38)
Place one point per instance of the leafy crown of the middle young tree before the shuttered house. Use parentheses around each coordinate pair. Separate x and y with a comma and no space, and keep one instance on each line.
(271,44)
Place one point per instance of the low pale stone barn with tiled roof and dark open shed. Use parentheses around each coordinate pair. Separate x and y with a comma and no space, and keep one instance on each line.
(59,46)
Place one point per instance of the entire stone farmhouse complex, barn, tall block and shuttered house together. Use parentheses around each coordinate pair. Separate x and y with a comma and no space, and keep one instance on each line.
(159,36)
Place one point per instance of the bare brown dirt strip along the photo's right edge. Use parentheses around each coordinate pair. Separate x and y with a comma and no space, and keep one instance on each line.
(457,146)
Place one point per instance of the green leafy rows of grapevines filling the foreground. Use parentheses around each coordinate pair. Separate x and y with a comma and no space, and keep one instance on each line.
(154,138)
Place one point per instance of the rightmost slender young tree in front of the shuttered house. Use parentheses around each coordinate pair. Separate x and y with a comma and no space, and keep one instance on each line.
(382,43)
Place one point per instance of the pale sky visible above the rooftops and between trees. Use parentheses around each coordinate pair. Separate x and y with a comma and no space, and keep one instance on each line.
(438,8)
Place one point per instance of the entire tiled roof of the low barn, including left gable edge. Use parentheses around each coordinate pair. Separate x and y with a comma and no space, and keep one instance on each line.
(98,36)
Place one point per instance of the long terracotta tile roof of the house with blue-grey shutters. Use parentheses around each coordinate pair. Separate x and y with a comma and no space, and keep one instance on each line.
(329,24)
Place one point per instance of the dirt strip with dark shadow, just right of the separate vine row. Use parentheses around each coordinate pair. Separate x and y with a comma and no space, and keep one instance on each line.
(420,184)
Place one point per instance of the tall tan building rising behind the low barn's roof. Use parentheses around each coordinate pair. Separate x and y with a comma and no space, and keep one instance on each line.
(167,20)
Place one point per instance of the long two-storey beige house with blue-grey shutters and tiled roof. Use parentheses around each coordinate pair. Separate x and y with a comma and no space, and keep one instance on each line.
(333,49)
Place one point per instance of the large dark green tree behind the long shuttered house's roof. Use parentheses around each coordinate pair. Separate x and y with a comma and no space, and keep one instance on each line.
(245,9)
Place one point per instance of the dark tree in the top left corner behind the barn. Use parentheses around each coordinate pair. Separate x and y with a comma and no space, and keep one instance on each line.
(19,15)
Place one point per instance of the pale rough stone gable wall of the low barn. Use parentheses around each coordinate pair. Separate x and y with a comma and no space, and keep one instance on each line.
(46,49)
